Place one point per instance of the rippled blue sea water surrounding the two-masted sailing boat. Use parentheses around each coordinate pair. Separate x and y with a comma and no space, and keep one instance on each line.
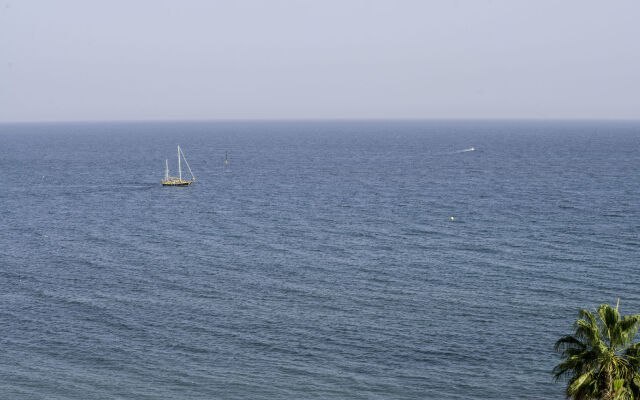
(322,264)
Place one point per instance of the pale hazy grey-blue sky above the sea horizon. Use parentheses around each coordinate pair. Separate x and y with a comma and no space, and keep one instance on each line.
(208,59)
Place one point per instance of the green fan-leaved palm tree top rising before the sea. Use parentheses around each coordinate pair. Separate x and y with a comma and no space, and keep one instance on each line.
(599,359)
